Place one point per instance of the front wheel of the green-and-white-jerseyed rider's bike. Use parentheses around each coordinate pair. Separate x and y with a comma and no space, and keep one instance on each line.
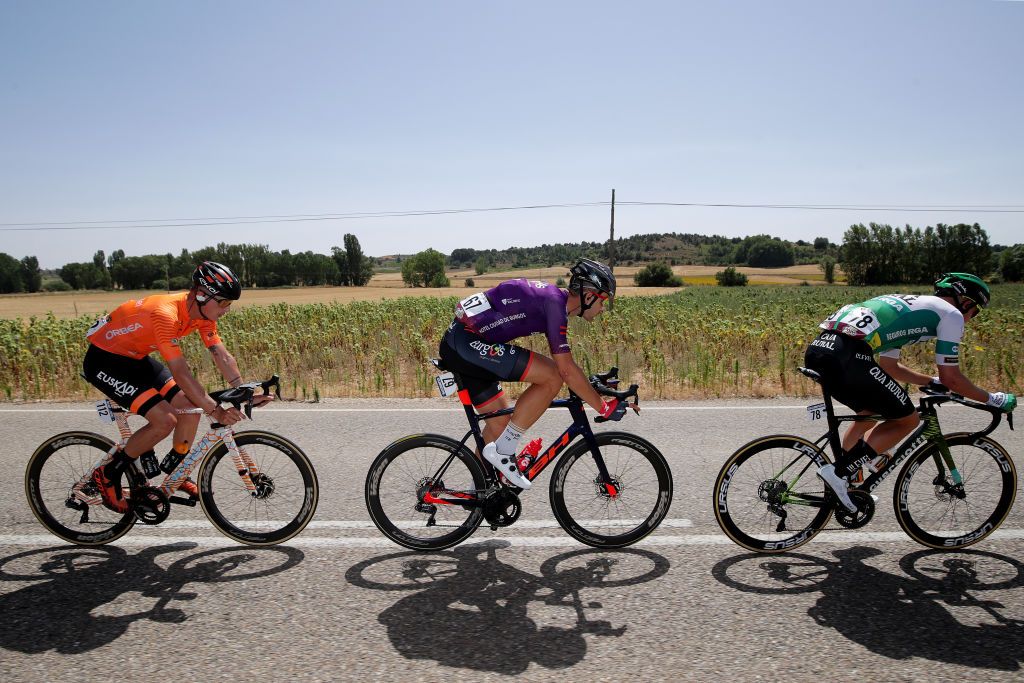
(940,521)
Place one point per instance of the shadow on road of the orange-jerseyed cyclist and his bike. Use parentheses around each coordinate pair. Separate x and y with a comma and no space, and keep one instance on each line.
(64,609)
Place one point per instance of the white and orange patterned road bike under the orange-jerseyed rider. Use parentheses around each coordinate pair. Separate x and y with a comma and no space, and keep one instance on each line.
(255,487)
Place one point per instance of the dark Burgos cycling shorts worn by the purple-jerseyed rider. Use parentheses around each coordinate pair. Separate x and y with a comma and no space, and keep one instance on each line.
(480,365)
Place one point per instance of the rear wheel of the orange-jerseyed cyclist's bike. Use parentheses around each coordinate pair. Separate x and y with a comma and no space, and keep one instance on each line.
(54,469)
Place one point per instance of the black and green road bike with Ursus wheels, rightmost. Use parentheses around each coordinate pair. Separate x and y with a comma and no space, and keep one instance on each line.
(954,491)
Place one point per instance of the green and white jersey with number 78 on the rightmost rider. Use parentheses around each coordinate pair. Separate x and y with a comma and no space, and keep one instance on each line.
(889,322)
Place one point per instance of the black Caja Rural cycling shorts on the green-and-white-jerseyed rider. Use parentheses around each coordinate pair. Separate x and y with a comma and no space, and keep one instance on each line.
(852,376)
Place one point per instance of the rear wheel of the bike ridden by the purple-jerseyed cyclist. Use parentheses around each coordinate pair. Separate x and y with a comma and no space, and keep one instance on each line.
(421,456)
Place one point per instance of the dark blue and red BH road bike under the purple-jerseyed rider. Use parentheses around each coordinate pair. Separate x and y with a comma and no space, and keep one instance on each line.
(430,492)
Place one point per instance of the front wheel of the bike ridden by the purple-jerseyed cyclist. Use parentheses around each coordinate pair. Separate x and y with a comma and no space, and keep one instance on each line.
(585,510)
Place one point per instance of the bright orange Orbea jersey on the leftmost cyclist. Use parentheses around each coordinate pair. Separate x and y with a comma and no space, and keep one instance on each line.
(138,328)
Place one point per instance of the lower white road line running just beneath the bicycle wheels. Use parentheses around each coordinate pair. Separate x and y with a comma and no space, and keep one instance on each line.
(656,540)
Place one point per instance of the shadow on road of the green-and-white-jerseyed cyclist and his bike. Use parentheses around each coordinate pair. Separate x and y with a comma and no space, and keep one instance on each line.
(930,612)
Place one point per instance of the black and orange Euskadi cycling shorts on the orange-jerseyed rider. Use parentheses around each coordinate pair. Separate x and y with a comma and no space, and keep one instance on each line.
(134,385)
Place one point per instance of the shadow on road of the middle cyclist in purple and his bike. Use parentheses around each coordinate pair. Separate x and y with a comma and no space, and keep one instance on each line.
(472,611)
